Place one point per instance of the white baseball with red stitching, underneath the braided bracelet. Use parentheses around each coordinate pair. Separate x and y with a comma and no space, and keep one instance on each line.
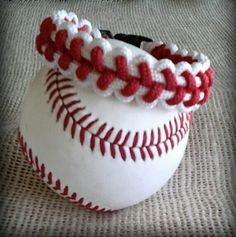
(89,177)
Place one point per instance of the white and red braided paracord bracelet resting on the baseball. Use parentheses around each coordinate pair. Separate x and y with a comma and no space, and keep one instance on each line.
(156,73)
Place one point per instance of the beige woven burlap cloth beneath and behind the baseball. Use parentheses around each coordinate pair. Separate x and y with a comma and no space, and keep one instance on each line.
(199,199)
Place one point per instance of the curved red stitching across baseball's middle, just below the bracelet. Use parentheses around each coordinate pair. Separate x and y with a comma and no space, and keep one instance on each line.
(57,84)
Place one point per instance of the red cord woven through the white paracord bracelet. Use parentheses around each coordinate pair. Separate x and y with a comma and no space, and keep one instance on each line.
(107,76)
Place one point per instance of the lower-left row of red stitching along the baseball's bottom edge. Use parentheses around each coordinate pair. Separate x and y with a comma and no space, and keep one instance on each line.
(48,177)
